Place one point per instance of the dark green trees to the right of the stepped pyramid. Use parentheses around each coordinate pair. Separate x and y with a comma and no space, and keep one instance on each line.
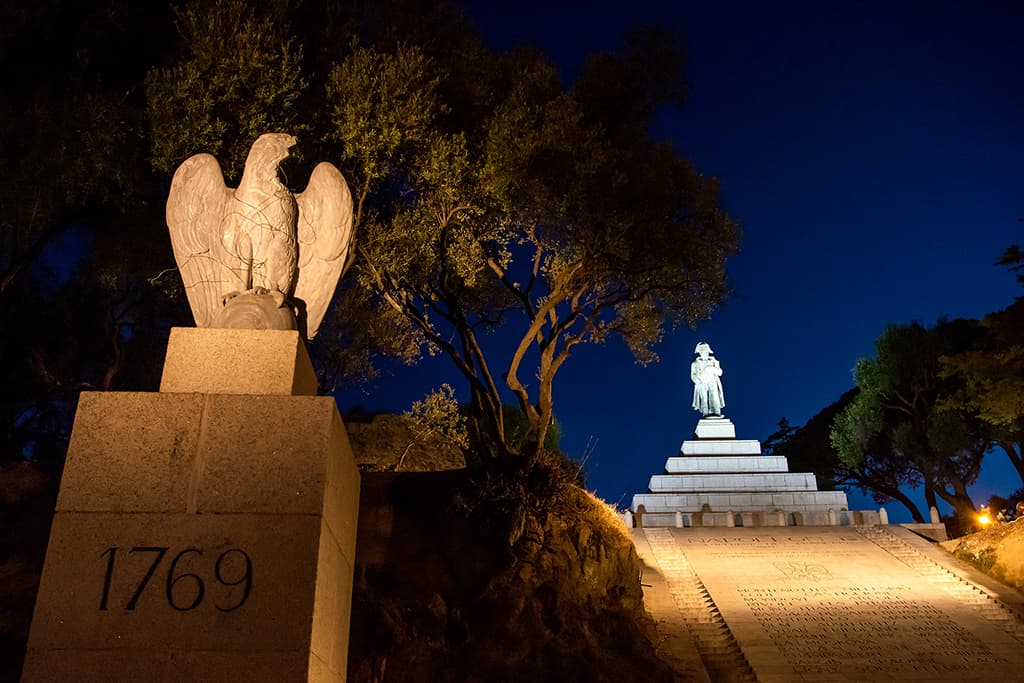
(927,411)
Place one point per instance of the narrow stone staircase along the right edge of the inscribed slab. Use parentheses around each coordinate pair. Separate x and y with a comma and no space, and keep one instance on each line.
(1006,620)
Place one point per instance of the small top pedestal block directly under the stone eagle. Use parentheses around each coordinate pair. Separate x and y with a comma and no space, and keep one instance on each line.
(238,362)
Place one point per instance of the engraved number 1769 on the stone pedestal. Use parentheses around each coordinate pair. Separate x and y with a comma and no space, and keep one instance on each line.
(129,573)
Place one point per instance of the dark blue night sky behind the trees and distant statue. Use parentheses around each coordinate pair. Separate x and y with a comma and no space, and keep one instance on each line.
(875,156)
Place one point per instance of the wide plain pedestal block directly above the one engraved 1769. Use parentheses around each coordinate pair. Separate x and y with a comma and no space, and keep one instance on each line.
(210,454)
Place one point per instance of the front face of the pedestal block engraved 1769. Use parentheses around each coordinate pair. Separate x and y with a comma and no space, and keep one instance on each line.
(79,609)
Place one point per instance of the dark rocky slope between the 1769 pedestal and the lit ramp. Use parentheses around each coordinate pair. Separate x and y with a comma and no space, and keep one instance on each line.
(457,586)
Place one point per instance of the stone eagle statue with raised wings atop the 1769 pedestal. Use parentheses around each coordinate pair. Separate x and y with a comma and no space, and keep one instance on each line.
(258,257)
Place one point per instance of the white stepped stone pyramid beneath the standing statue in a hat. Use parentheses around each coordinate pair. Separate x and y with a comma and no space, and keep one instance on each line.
(719,481)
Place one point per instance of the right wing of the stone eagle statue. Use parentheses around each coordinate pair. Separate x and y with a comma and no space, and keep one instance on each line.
(325,234)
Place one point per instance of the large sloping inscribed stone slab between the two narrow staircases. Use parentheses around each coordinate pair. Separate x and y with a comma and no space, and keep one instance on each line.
(831,605)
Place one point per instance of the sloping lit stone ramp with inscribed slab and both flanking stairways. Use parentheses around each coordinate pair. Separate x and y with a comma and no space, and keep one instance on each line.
(838,604)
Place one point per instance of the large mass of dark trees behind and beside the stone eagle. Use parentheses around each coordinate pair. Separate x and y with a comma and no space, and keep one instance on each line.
(489,194)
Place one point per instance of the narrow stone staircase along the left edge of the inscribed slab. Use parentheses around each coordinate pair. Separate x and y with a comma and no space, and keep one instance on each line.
(718,650)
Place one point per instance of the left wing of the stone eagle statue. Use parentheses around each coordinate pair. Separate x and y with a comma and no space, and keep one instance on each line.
(197,208)
